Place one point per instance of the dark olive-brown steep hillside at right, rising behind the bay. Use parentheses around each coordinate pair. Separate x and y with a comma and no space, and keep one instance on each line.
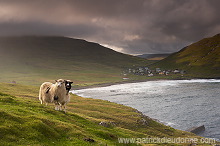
(200,59)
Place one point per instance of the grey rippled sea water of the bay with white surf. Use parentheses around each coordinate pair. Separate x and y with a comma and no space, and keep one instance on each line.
(181,104)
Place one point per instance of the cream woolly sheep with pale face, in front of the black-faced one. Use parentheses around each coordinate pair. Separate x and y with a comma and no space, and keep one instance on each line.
(55,93)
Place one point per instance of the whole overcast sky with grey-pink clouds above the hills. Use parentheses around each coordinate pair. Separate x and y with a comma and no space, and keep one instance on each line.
(128,26)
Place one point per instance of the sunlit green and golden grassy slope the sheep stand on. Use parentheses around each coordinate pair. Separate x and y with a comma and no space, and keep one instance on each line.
(25,122)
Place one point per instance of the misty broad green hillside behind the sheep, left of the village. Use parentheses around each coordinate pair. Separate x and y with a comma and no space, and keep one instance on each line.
(34,59)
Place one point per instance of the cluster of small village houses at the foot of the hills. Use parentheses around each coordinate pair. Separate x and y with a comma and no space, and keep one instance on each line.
(146,71)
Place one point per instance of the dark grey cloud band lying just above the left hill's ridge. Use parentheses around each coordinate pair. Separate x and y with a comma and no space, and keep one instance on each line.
(39,28)
